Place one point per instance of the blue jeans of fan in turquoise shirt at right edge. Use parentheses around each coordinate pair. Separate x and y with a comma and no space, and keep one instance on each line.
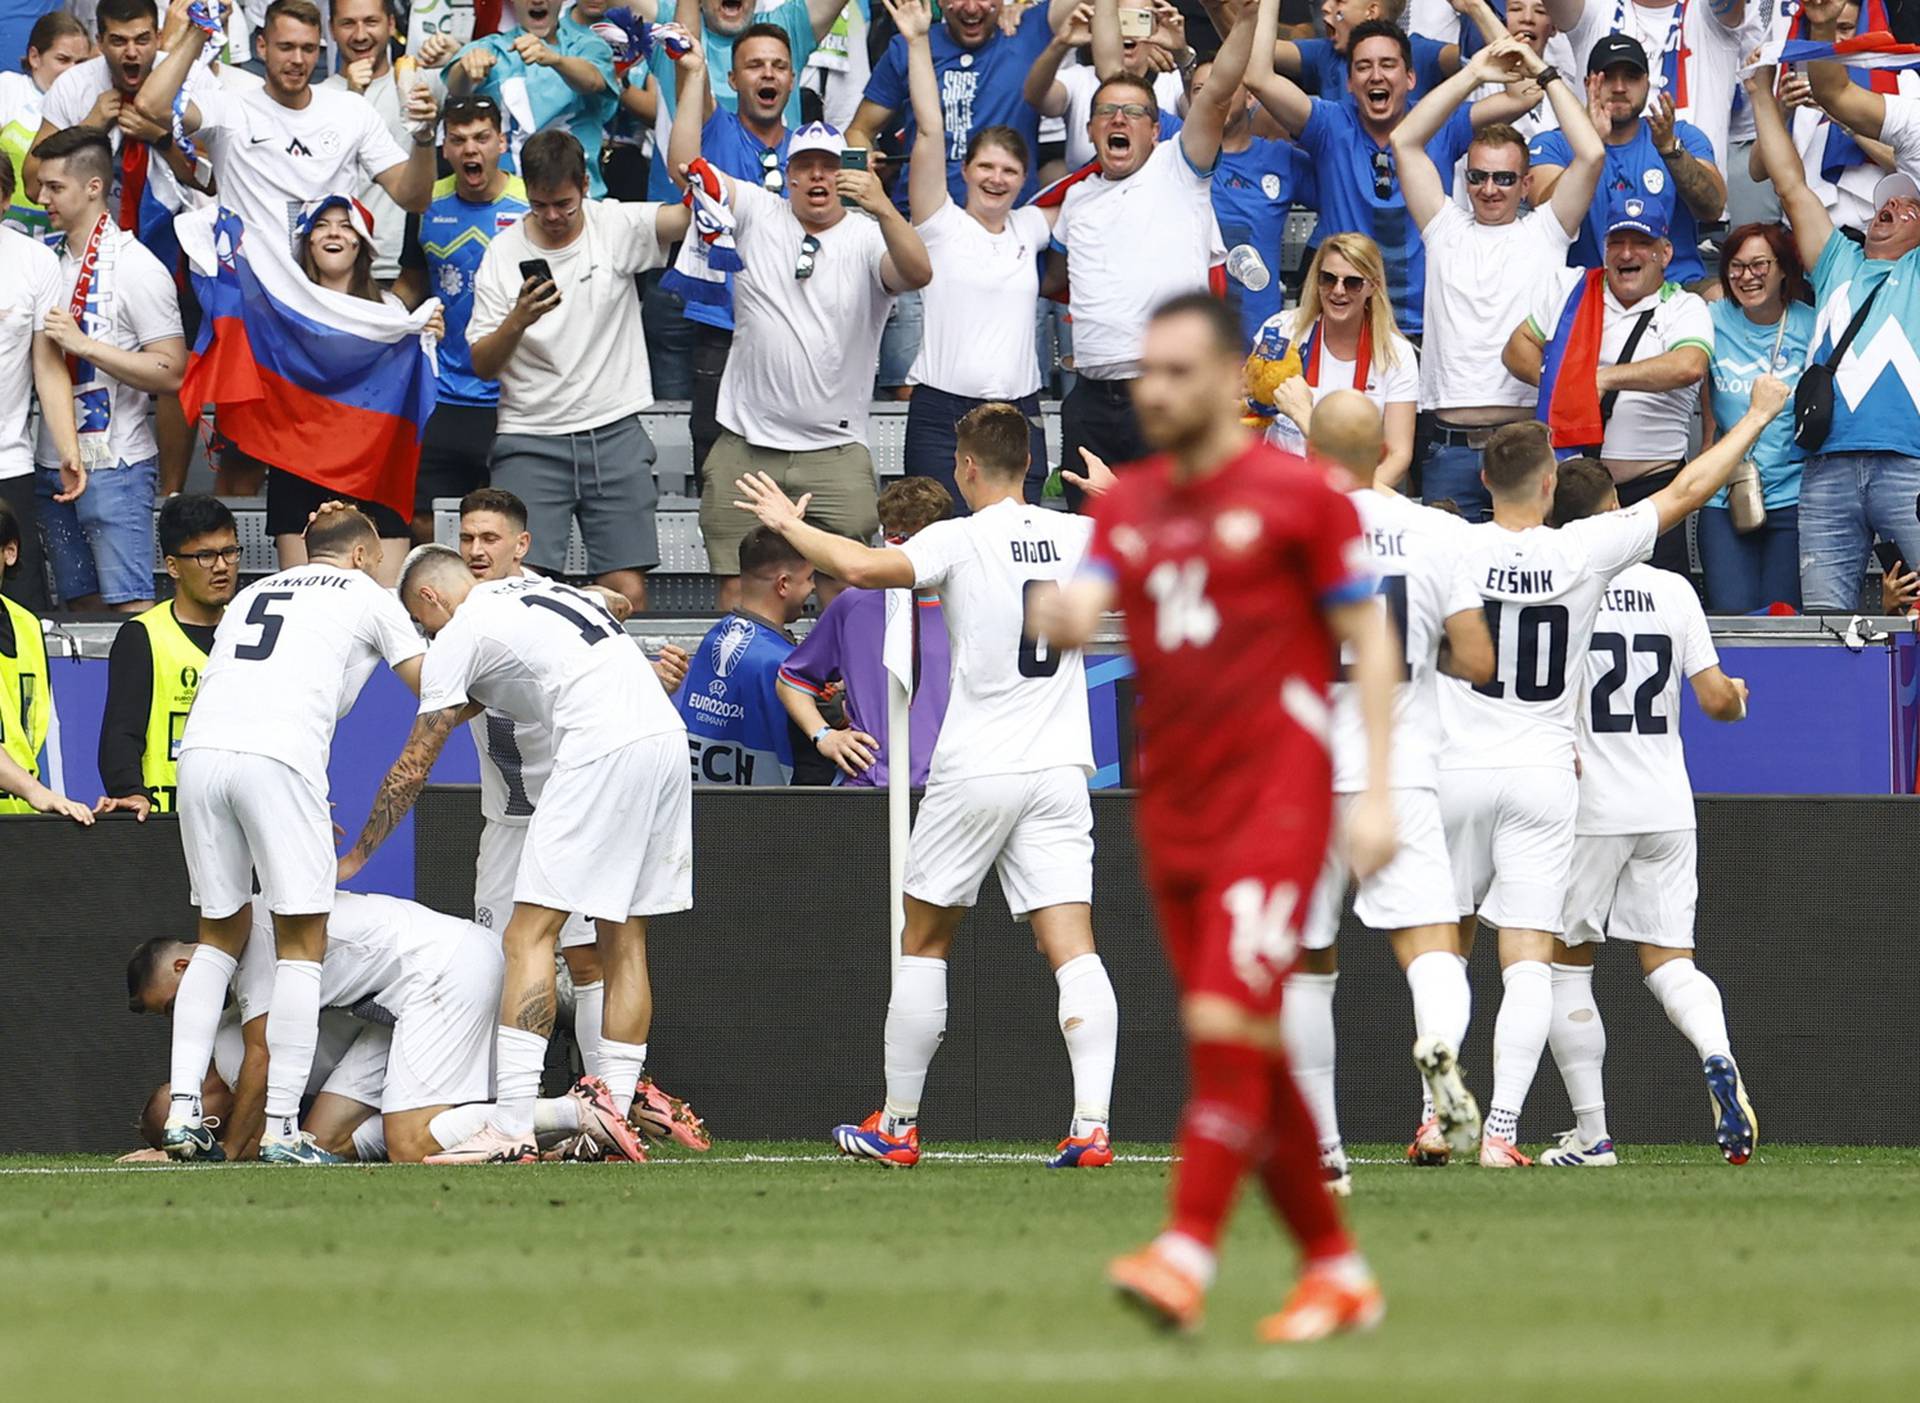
(1846,498)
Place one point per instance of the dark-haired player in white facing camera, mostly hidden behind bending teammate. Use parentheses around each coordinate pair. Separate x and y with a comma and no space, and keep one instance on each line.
(516,761)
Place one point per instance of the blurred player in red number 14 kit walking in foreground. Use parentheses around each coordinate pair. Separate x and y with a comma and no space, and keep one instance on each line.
(1241,573)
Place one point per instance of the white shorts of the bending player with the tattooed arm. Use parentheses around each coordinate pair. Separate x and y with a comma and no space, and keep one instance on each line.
(615,838)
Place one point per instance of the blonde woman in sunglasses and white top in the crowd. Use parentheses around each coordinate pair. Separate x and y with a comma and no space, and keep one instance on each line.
(1347,341)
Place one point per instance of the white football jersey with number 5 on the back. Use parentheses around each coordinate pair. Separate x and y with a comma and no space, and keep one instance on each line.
(289,659)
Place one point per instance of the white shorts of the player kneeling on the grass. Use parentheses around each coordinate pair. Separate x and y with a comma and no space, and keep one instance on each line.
(444,1030)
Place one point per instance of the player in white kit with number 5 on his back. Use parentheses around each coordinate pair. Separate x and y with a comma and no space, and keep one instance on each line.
(289,659)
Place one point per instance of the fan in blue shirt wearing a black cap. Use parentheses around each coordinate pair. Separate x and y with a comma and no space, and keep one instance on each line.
(1666,162)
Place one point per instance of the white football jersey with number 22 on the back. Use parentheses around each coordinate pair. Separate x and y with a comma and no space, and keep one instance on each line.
(1650,636)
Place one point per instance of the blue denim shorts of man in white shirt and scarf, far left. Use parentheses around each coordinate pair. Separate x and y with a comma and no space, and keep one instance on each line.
(103,542)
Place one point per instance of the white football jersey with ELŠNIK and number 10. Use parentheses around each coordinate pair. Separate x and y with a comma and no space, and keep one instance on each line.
(1541,590)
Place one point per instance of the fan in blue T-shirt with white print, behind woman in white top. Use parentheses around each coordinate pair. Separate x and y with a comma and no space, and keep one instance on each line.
(982,76)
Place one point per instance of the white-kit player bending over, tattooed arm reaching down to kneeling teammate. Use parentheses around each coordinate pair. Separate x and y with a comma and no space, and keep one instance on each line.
(612,838)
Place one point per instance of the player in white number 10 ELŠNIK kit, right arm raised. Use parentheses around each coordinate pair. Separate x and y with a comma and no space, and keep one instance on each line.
(1508,790)
